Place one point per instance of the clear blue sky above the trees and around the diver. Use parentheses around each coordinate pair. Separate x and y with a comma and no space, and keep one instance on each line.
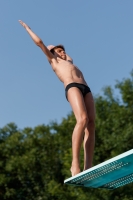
(97,34)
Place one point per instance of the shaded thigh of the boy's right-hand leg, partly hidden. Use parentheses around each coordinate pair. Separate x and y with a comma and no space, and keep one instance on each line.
(90,106)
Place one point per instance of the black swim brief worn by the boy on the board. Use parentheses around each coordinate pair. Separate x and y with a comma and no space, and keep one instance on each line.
(83,88)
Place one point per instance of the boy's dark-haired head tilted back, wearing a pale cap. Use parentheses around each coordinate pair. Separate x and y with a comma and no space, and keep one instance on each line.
(58,51)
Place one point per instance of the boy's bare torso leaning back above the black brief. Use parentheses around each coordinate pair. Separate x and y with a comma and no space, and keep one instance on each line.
(67,72)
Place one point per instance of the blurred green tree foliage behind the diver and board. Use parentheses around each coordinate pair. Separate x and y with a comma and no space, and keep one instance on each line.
(35,162)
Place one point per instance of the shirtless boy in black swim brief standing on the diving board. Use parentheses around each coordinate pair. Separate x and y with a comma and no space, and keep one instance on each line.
(79,96)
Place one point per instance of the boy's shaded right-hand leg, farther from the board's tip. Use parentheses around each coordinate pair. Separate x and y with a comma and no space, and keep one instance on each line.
(89,137)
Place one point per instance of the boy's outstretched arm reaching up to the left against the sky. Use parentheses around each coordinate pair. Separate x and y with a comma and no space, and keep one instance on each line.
(38,42)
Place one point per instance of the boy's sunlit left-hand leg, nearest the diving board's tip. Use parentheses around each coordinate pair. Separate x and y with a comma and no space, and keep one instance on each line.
(77,103)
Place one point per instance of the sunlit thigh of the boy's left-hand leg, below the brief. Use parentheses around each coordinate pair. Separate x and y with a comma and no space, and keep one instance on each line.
(77,103)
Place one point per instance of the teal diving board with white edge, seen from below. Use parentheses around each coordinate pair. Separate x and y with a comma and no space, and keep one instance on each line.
(111,174)
